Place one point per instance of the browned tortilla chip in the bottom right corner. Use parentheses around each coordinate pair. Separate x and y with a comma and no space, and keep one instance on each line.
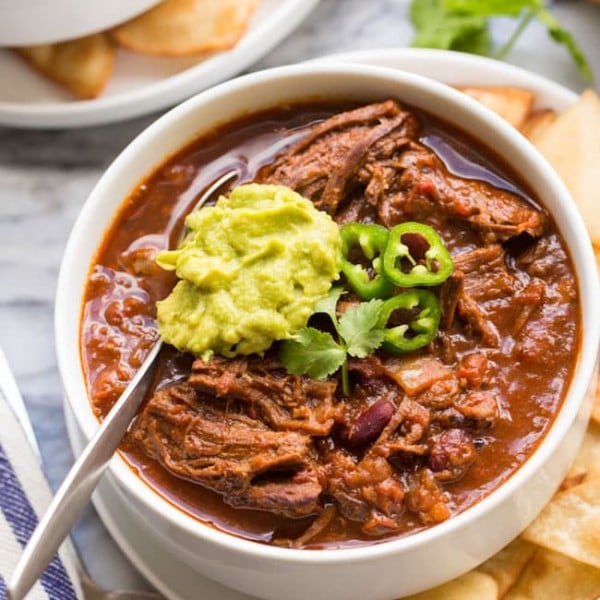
(551,575)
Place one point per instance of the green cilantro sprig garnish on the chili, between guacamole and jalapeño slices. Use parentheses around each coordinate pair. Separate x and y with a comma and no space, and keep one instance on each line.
(318,354)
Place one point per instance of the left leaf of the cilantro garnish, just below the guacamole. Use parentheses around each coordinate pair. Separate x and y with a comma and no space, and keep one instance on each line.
(313,352)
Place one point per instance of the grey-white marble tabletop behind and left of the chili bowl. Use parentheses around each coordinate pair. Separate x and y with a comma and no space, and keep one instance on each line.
(45,177)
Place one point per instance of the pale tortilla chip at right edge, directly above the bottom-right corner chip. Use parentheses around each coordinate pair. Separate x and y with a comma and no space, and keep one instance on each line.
(570,523)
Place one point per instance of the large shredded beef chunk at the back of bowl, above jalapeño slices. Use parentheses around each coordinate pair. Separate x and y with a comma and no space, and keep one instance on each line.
(373,154)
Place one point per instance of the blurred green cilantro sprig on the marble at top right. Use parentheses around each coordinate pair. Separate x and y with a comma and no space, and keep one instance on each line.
(464,25)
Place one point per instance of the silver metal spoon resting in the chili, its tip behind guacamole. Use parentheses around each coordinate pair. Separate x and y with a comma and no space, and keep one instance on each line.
(76,490)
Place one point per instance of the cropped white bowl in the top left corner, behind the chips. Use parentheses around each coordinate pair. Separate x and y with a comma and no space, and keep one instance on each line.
(46,21)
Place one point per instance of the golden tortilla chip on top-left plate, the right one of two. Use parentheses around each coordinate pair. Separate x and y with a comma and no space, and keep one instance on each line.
(183,27)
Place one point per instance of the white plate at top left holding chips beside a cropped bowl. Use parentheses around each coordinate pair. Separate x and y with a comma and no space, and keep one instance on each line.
(140,84)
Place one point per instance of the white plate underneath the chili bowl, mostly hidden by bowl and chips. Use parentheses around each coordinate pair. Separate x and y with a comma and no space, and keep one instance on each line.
(178,581)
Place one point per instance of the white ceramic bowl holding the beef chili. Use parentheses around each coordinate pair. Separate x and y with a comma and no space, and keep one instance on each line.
(381,571)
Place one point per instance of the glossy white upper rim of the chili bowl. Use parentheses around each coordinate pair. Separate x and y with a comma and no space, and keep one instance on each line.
(590,335)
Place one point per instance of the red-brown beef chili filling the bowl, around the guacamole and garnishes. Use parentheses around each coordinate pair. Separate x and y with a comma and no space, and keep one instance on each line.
(487,388)
